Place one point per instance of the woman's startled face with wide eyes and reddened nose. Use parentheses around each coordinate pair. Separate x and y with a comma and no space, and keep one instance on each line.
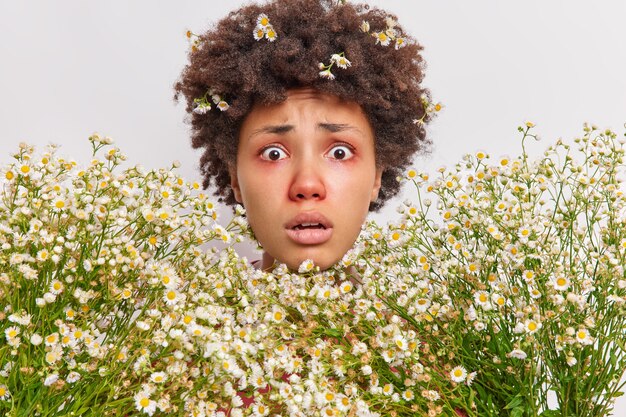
(306,174)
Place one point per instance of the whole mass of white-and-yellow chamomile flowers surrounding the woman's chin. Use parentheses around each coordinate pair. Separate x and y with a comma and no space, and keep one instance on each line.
(500,290)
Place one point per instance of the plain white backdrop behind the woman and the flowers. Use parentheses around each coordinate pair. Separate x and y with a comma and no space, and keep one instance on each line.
(70,68)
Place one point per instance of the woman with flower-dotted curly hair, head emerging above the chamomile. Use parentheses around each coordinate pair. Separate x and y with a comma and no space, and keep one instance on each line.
(307,111)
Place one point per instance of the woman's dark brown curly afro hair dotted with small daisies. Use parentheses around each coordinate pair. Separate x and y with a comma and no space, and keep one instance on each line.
(383,80)
